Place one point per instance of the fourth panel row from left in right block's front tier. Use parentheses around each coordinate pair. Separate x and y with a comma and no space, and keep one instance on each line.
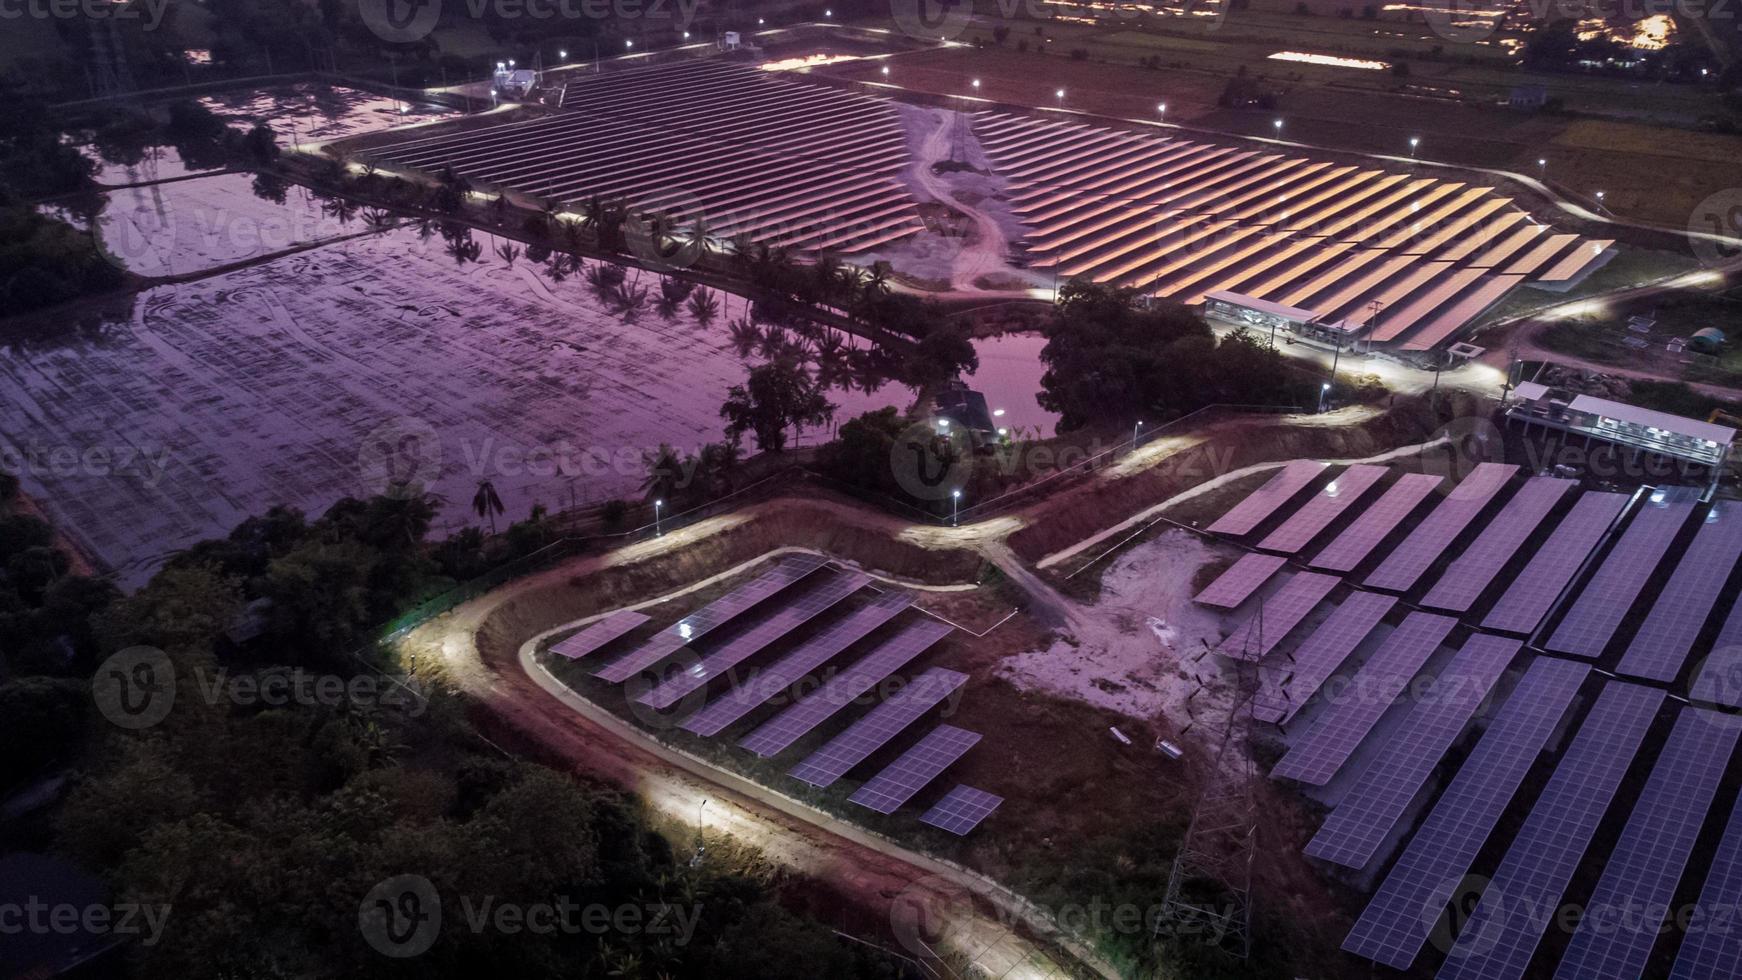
(1316,758)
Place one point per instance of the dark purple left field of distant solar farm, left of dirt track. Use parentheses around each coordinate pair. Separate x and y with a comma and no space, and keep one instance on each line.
(720,145)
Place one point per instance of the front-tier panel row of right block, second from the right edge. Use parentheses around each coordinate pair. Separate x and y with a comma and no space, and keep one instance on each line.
(1614,941)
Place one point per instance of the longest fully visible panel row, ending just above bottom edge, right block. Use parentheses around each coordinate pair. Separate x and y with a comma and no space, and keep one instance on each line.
(1398,920)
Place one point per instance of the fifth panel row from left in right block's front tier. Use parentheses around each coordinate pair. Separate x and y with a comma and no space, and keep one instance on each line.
(1367,817)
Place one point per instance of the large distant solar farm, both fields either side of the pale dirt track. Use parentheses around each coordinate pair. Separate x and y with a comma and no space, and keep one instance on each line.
(1384,255)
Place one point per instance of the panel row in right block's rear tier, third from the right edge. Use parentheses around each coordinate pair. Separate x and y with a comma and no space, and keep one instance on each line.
(1600,608)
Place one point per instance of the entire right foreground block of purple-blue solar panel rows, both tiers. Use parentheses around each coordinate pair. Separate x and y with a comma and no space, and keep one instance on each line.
(1508,687)
